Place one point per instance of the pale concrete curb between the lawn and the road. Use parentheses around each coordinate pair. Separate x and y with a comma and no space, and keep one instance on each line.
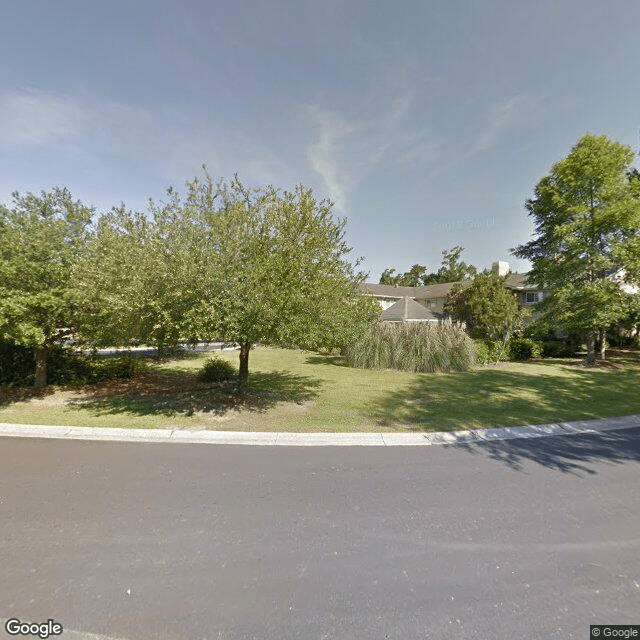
(270,438)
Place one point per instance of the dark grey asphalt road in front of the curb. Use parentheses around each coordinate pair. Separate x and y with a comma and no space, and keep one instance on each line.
(523,539)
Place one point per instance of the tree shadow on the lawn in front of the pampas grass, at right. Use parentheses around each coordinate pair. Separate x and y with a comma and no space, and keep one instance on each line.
(536,393)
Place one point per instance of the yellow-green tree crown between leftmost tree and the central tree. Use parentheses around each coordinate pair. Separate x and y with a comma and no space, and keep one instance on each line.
(142,275)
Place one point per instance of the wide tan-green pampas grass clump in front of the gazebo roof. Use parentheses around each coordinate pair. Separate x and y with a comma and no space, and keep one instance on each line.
(413,346)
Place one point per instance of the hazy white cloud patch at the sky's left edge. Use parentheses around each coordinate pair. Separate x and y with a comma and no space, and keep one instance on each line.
(33,118)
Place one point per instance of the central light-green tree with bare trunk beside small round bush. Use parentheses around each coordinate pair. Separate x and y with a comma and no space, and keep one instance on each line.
(279,273)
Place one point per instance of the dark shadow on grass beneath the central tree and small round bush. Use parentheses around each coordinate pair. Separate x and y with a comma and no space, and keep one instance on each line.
(173,393)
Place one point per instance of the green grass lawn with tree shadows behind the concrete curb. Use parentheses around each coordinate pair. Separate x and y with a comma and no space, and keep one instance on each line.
(302,391)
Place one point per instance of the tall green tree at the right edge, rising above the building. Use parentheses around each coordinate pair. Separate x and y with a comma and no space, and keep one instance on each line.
(587,217)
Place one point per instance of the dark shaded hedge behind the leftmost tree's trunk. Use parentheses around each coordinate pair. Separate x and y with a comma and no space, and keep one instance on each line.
(17,367)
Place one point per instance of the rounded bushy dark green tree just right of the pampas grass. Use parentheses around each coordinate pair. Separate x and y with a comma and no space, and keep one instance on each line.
(487,307)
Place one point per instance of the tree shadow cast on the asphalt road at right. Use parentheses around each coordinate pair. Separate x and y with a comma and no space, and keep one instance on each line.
(568,454)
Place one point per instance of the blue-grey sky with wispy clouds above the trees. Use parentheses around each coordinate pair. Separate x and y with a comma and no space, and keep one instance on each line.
(428,123)
